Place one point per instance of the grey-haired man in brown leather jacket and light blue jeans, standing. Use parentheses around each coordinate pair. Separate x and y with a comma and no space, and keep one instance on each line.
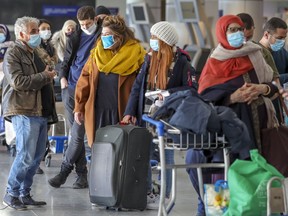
(27,81)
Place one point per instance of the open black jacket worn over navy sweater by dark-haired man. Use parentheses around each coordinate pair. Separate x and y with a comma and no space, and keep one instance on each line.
(72,46)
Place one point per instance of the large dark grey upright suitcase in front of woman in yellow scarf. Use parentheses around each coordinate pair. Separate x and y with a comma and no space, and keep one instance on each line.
(119,167)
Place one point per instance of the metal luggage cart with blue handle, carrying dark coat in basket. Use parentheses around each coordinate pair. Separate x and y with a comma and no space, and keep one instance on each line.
(163,129)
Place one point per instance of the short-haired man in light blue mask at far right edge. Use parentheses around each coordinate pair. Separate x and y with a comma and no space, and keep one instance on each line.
(275,32)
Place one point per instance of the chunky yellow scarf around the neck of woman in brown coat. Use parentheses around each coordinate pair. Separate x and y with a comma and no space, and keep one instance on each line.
(125,62)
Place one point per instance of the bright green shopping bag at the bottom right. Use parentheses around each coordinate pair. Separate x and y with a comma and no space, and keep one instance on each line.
(247,182)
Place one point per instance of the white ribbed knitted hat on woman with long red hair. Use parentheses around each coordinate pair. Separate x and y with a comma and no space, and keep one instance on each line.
(165,32)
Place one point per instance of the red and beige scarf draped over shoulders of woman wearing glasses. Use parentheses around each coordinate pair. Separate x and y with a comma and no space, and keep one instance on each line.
(224,65)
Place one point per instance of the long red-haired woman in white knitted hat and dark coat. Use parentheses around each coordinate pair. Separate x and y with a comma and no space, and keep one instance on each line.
(166,67)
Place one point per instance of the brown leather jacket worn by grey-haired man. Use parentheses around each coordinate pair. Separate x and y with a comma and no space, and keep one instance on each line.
(22,83)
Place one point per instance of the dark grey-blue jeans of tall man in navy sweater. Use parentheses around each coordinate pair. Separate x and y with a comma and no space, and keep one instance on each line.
(75,152)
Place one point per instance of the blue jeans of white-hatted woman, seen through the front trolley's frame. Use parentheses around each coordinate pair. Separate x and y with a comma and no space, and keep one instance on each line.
(169,159)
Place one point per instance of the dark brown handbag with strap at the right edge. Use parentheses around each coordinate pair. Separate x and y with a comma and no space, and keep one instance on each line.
(274,142)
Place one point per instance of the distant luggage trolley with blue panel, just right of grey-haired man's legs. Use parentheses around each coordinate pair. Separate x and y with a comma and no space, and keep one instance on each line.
(57,142)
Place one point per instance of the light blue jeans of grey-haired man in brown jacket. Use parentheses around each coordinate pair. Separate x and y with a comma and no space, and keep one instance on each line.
(31,137)
